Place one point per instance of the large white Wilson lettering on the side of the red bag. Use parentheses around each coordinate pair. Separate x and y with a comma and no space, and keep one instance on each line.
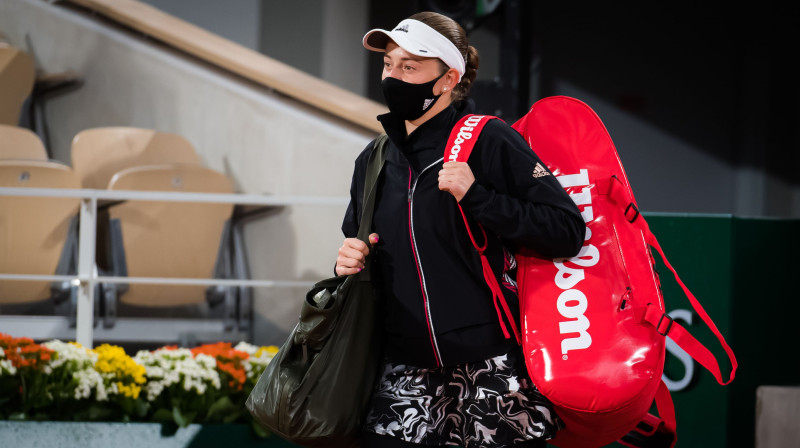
(573,303)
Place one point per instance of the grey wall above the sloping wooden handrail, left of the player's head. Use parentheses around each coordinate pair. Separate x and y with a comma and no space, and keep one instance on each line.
(318,37)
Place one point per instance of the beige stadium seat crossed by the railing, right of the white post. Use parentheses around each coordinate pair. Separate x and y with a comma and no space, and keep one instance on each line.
(168,239)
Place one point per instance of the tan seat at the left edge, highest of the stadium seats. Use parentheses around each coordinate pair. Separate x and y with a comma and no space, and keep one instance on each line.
(17,76)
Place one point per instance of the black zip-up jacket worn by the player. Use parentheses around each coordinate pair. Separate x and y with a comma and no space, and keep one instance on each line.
(439,309)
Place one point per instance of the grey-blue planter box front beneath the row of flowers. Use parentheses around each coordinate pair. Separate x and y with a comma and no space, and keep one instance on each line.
(25,434)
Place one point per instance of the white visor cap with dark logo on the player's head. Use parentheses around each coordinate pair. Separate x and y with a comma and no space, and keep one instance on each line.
(418,39)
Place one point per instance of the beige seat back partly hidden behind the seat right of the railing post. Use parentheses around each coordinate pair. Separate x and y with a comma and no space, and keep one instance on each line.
(99,153)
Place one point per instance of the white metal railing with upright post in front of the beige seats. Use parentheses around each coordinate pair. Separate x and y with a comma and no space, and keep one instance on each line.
(87,277)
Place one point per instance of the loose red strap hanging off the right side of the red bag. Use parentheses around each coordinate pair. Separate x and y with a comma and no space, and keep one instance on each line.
(654,315)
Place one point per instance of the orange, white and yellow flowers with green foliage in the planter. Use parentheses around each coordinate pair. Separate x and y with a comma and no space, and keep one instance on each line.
(57,382)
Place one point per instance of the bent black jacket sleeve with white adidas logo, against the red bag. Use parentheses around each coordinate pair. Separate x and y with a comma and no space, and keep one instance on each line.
(517,197)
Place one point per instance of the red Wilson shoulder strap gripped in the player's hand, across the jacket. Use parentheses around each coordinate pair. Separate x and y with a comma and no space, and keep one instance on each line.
(459,146)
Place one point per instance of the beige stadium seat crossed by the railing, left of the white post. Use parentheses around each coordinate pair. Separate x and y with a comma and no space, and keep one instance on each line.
(33,230)
